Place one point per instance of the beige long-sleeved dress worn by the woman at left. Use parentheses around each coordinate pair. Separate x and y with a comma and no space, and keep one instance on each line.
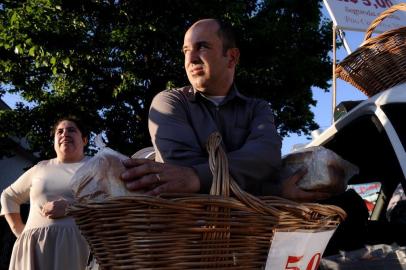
(45,244)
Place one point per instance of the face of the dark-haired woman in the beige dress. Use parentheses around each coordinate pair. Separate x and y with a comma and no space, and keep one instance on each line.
(68,142)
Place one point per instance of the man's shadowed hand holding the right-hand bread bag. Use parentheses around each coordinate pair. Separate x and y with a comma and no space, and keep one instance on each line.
(290,190)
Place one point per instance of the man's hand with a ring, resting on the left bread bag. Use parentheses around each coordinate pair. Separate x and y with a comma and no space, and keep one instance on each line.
(157,178)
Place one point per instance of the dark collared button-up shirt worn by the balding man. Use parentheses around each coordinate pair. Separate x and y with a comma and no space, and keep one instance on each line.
(181,120)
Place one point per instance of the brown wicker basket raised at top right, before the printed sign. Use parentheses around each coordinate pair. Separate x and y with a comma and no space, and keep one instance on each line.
(380,62)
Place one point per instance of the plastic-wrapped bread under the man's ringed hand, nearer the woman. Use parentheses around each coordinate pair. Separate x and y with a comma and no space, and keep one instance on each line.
(99,178)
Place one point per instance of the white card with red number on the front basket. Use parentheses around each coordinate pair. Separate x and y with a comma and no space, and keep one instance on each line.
(297,250)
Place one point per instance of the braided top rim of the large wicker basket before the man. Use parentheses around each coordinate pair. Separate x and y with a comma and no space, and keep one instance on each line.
(192,202)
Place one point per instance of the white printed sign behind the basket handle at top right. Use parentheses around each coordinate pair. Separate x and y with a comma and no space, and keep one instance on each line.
(358,14)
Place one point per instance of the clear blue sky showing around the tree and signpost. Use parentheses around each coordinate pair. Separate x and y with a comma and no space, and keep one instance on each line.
(322,110)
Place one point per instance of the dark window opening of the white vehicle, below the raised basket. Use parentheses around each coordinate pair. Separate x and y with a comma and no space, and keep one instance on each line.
(365,143)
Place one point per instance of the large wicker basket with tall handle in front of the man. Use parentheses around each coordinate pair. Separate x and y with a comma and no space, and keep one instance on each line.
(195,231)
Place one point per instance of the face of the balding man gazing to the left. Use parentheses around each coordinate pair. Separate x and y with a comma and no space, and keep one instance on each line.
(209,70)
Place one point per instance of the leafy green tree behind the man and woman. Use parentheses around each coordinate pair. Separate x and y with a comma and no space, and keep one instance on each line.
(106,59)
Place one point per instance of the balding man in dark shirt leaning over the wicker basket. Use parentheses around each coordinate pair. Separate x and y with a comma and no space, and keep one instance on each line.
(181,120)
